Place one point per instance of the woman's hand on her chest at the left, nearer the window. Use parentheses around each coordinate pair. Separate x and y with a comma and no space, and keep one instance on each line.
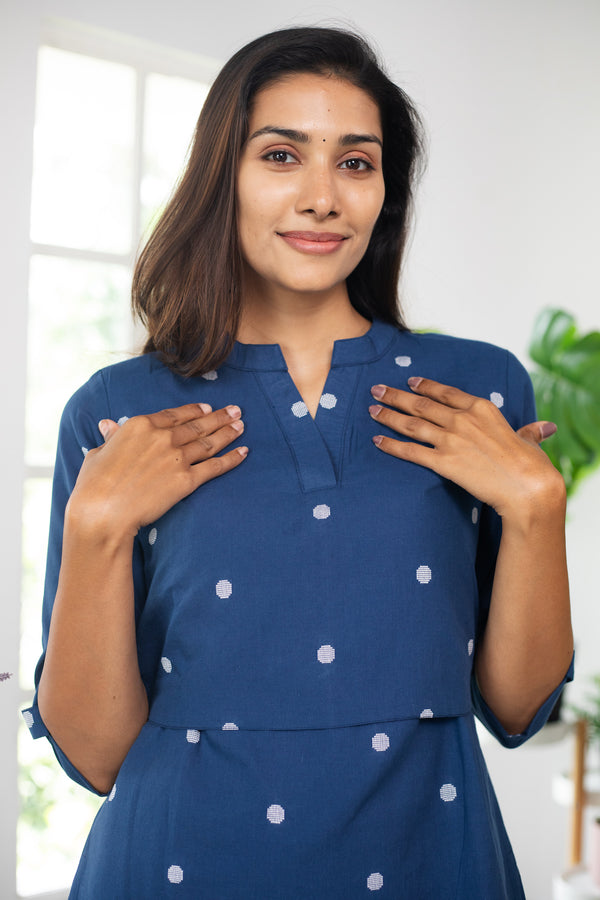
(150,463)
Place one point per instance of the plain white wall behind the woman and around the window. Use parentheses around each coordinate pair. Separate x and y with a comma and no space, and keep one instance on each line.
(507,223)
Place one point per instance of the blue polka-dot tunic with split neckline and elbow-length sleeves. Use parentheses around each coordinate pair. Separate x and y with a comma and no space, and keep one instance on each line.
(306,625)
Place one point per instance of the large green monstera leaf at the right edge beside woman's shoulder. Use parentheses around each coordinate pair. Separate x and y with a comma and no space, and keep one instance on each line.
(567,391)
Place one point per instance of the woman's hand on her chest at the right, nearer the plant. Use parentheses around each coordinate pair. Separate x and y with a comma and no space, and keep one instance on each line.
(467,440)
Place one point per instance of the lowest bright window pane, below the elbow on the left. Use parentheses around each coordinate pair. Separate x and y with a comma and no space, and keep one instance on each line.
(56,815)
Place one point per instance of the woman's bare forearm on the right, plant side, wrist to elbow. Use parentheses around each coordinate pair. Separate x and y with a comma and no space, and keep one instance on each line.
(528,641)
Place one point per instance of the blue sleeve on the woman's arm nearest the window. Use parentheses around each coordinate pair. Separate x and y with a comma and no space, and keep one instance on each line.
(78,434)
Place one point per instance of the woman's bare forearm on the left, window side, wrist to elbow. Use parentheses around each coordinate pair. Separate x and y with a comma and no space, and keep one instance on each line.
(91,694)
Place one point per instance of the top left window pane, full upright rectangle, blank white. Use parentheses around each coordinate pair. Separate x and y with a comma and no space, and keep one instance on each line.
(83,152)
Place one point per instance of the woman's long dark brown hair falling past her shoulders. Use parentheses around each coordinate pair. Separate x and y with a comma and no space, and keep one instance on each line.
(187,281)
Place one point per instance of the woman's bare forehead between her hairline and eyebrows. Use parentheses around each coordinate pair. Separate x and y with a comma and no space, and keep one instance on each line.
(308,101)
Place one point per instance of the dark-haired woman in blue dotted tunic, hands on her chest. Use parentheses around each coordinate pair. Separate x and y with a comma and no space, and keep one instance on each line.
(268,654)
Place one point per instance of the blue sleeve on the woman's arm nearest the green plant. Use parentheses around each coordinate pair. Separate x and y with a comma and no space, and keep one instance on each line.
(518,406)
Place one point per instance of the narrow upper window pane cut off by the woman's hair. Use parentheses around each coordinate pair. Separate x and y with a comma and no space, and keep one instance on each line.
(171,110)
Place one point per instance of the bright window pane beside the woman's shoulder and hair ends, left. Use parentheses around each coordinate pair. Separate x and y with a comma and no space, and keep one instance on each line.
(79,321)
